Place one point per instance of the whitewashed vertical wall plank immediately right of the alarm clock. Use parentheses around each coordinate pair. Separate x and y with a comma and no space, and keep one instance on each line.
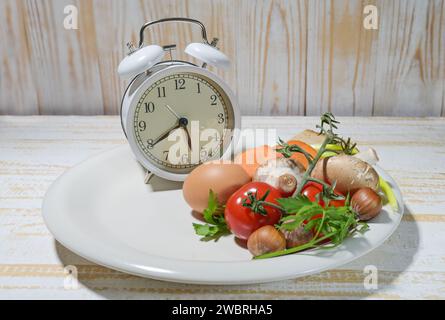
(271,57)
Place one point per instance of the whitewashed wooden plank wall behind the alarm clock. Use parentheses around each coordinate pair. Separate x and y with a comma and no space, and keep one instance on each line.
(290,57)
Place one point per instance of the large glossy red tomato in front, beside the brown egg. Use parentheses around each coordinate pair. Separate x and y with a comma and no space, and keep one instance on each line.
(241,220)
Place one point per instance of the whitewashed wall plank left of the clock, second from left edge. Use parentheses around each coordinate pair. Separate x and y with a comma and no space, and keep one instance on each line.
(64,63)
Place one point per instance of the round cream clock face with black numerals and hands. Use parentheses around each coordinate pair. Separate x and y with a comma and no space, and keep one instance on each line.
(182,120)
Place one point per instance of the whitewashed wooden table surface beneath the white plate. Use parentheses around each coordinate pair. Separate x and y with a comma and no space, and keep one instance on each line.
(34,151)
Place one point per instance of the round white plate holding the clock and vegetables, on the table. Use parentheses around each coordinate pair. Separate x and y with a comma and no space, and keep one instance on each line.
(103,211)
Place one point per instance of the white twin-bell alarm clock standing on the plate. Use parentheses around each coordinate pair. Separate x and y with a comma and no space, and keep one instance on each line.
(177,114)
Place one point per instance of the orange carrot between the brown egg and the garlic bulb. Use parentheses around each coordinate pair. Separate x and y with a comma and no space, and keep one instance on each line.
(251,159)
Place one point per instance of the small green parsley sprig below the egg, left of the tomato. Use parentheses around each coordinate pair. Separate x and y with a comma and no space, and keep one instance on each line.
(216,226)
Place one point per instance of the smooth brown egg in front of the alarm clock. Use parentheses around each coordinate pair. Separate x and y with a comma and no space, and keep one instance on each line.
(223,178)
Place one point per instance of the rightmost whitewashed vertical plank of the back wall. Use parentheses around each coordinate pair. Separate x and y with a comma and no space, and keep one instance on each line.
(410,72)
